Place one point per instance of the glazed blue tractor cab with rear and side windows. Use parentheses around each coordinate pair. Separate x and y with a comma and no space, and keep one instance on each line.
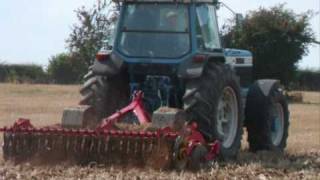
(166,31)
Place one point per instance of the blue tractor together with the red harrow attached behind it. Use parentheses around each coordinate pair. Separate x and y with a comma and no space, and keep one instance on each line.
(190,96)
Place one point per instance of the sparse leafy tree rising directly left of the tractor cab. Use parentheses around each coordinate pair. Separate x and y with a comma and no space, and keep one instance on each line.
(94,27)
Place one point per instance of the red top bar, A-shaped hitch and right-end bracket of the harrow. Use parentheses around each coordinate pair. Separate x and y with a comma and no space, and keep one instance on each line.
(190,133)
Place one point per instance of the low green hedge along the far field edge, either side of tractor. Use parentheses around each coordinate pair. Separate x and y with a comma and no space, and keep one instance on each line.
(71,72)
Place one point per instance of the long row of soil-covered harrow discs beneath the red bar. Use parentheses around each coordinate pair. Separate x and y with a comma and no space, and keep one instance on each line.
(124,148)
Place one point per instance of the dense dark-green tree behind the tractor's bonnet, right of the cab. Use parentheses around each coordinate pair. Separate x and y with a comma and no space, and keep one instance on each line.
(278,38)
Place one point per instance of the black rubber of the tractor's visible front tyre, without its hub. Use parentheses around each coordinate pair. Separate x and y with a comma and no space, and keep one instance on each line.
(259,122)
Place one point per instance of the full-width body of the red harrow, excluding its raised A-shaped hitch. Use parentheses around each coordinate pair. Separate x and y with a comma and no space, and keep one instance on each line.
(124,145)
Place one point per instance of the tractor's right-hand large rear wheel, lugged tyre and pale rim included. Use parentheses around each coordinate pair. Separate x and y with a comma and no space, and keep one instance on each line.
(214,102)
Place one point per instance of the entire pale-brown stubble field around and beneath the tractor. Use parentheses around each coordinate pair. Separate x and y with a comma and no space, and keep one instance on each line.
(44,105)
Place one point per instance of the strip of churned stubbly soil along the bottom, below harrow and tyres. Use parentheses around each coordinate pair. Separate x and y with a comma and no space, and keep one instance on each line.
(262,166)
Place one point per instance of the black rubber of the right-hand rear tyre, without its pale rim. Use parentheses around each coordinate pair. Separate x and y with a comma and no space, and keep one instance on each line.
(201,101)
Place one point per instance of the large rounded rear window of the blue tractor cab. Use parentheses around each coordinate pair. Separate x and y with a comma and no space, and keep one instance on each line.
(155,30)
